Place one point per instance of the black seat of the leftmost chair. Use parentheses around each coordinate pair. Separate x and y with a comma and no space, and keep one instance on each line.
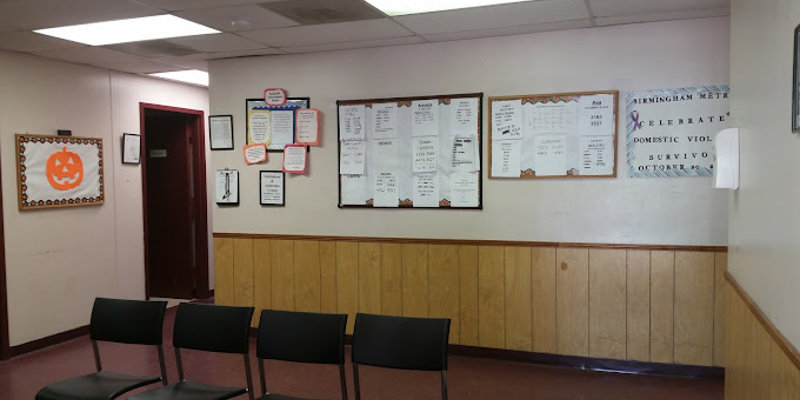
(101,385)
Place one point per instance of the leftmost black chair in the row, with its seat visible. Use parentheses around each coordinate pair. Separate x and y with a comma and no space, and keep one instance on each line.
(120,321)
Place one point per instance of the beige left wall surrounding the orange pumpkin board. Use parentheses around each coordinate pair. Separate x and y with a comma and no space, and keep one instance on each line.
(59,260)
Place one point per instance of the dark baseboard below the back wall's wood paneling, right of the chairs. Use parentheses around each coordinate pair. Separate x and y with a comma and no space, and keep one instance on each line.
(592,364)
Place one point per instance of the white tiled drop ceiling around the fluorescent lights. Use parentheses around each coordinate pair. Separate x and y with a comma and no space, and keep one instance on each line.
(269,27)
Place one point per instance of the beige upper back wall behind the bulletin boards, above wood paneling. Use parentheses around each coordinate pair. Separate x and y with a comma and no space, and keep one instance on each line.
(621,210)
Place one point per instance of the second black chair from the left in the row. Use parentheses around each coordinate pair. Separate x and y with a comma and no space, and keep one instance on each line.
(211,328)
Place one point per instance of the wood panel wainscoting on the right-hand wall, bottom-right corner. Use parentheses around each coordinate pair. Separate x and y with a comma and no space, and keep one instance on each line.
(761,363)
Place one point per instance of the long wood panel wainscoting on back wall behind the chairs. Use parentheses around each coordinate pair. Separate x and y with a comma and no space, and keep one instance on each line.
(658,304)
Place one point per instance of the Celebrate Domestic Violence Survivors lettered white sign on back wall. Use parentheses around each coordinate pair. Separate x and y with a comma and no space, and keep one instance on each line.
(670,132)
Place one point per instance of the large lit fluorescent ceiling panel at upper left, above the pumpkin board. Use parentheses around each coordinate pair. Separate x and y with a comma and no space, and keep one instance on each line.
(128,30)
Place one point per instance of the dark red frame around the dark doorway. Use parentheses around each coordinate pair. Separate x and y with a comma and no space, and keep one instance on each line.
(199,205)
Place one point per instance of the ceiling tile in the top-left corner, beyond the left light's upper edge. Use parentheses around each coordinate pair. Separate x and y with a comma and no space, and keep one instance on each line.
(35,14)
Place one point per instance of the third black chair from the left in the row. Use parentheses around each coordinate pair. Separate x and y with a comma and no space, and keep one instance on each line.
(300,337)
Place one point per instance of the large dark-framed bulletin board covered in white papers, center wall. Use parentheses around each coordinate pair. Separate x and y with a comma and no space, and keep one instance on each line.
(411,152)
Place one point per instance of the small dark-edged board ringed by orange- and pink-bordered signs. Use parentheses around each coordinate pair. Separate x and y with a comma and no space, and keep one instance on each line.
(273,125)
